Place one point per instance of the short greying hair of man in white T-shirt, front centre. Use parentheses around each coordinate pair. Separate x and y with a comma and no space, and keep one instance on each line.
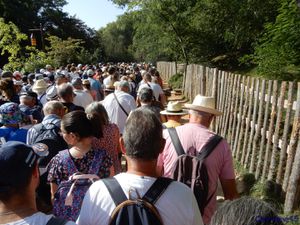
(143,135)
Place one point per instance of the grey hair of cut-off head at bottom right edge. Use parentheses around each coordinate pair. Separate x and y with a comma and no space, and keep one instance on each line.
(246,211)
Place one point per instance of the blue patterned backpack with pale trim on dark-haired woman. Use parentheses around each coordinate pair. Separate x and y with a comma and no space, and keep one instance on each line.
(70,193)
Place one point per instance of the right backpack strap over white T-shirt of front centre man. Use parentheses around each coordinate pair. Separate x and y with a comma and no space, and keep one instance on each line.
(157,189)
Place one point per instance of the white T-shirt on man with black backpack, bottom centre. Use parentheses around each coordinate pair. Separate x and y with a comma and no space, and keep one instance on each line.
(176,206)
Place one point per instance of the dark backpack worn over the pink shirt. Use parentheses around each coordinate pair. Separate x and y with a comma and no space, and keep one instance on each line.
(191,170)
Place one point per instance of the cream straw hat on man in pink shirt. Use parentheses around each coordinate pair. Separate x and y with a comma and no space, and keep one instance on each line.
(204,104)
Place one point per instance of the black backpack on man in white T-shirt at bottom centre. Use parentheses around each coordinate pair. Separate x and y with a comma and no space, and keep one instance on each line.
(140,211)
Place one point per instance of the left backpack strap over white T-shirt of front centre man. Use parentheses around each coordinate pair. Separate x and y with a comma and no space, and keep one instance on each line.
(115,190)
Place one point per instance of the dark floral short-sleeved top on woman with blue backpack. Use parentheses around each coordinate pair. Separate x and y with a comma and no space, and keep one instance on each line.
(57,172)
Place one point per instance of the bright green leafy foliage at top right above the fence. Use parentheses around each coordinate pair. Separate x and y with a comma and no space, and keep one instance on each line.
(278,54)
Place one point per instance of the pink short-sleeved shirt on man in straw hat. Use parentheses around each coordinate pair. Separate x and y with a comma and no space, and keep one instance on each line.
(219,163)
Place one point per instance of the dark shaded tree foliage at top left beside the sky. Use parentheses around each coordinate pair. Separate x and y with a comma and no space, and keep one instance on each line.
(48,19)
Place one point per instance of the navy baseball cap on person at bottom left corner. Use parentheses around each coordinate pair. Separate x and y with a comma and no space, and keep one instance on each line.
(16,162)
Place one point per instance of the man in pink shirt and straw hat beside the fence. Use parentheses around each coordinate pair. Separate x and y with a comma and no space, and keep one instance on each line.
(193,136)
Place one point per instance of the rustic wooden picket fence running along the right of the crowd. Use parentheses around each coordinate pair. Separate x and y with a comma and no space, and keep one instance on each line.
(261,122)
